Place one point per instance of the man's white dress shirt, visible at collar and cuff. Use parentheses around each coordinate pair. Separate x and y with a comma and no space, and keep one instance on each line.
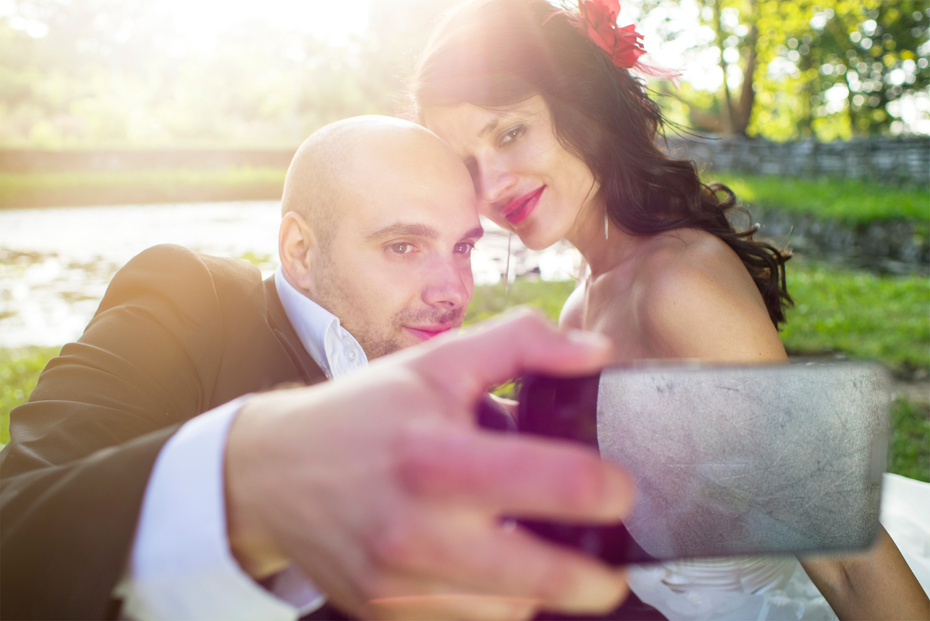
(181,566)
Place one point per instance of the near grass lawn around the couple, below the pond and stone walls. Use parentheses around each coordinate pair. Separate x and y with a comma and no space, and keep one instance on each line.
(858,314)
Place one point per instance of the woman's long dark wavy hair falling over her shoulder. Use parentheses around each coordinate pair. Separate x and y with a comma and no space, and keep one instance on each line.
(494,53)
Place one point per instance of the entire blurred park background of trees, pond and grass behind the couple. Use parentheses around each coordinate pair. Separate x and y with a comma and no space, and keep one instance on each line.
(127,123)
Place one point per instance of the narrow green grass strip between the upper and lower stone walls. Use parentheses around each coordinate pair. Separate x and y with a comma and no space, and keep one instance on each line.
(852,201)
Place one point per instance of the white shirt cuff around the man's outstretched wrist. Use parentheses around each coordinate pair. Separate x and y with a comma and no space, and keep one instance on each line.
(181,566)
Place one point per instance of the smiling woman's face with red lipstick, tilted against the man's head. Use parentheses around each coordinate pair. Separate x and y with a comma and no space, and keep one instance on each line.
(527,181)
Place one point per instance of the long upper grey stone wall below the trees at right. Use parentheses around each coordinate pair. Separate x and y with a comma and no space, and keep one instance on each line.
(889,160)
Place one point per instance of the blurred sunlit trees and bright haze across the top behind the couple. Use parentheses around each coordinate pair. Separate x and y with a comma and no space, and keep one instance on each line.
(131,73)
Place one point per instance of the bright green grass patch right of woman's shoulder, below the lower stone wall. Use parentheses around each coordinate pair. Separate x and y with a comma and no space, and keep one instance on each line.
(860,314)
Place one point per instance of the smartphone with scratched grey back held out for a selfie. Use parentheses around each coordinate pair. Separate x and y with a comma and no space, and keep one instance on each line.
(727,460)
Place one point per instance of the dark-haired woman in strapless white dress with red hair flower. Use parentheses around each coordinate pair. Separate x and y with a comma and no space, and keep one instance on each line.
(561,141)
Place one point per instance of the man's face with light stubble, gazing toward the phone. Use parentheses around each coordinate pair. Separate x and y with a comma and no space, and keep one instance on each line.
(397,269)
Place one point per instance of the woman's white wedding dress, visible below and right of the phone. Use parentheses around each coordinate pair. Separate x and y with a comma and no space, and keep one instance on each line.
(776,587)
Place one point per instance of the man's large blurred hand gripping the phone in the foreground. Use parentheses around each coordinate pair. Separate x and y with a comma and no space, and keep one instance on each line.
(381,488)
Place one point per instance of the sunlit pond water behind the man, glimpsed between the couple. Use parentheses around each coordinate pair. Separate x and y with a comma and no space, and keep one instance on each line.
(55,263)
